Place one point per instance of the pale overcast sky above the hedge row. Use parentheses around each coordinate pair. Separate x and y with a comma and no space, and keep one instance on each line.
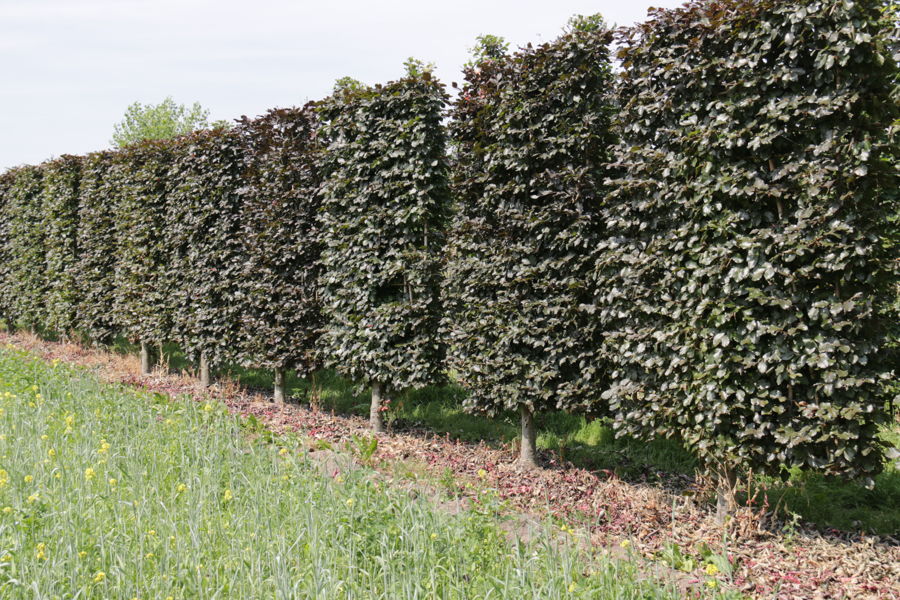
(71,67)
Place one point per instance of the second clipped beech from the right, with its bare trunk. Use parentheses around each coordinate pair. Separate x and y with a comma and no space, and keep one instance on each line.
(533,139)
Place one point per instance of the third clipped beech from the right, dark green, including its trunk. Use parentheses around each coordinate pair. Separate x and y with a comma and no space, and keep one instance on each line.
(384,209)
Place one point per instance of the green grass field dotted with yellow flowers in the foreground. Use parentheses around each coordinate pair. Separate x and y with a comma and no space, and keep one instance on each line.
(111,492)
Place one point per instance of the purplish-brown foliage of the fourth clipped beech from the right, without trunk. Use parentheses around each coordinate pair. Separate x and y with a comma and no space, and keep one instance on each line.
(279,231)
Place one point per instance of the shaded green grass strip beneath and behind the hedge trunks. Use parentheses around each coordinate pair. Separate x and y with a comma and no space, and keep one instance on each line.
(824,501)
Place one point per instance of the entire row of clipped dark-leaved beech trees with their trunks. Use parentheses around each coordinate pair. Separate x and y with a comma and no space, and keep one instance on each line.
(703,246)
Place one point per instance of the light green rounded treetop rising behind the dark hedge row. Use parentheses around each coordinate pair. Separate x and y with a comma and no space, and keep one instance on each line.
(161,121)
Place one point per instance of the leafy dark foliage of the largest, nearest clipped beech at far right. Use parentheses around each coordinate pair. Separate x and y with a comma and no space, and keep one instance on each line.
(745,257)
